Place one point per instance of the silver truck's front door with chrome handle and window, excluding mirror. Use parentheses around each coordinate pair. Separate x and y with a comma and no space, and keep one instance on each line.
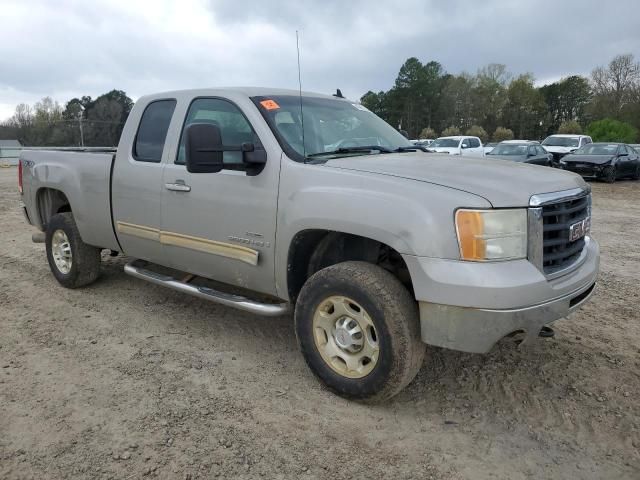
(222,225)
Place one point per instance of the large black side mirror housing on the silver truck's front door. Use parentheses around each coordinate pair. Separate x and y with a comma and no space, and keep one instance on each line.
(203,148)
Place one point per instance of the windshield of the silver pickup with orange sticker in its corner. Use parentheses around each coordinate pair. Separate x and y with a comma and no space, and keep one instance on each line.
(329,125)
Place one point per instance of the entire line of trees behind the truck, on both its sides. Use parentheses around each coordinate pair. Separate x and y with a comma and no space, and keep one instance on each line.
(425,101)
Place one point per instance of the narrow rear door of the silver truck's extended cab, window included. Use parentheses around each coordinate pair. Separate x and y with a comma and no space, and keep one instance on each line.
(137,182)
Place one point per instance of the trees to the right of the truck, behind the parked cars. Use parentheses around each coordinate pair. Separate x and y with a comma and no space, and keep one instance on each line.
(426,101)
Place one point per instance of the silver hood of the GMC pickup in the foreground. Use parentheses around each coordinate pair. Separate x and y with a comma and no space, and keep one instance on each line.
(501,182)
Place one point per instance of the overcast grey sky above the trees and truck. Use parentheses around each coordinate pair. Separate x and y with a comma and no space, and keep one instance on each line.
(68,48)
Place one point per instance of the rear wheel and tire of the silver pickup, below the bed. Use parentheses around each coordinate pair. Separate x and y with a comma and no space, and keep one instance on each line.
(73,262)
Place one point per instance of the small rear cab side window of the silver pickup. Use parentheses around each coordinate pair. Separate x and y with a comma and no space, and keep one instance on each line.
(152,131)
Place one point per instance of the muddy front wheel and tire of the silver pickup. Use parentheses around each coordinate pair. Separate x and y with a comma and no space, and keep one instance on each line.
(358,329)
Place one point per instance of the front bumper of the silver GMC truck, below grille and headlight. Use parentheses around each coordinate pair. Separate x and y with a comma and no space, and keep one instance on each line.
(470,306)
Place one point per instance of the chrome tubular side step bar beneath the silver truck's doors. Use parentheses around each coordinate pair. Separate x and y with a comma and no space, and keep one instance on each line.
(136,269)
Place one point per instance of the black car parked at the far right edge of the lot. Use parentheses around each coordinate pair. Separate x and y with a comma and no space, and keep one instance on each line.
(608,161)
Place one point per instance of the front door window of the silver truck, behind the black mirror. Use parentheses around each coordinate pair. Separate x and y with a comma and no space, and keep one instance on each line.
(234,127)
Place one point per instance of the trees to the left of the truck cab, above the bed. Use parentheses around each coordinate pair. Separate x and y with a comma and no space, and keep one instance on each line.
(82,122)
